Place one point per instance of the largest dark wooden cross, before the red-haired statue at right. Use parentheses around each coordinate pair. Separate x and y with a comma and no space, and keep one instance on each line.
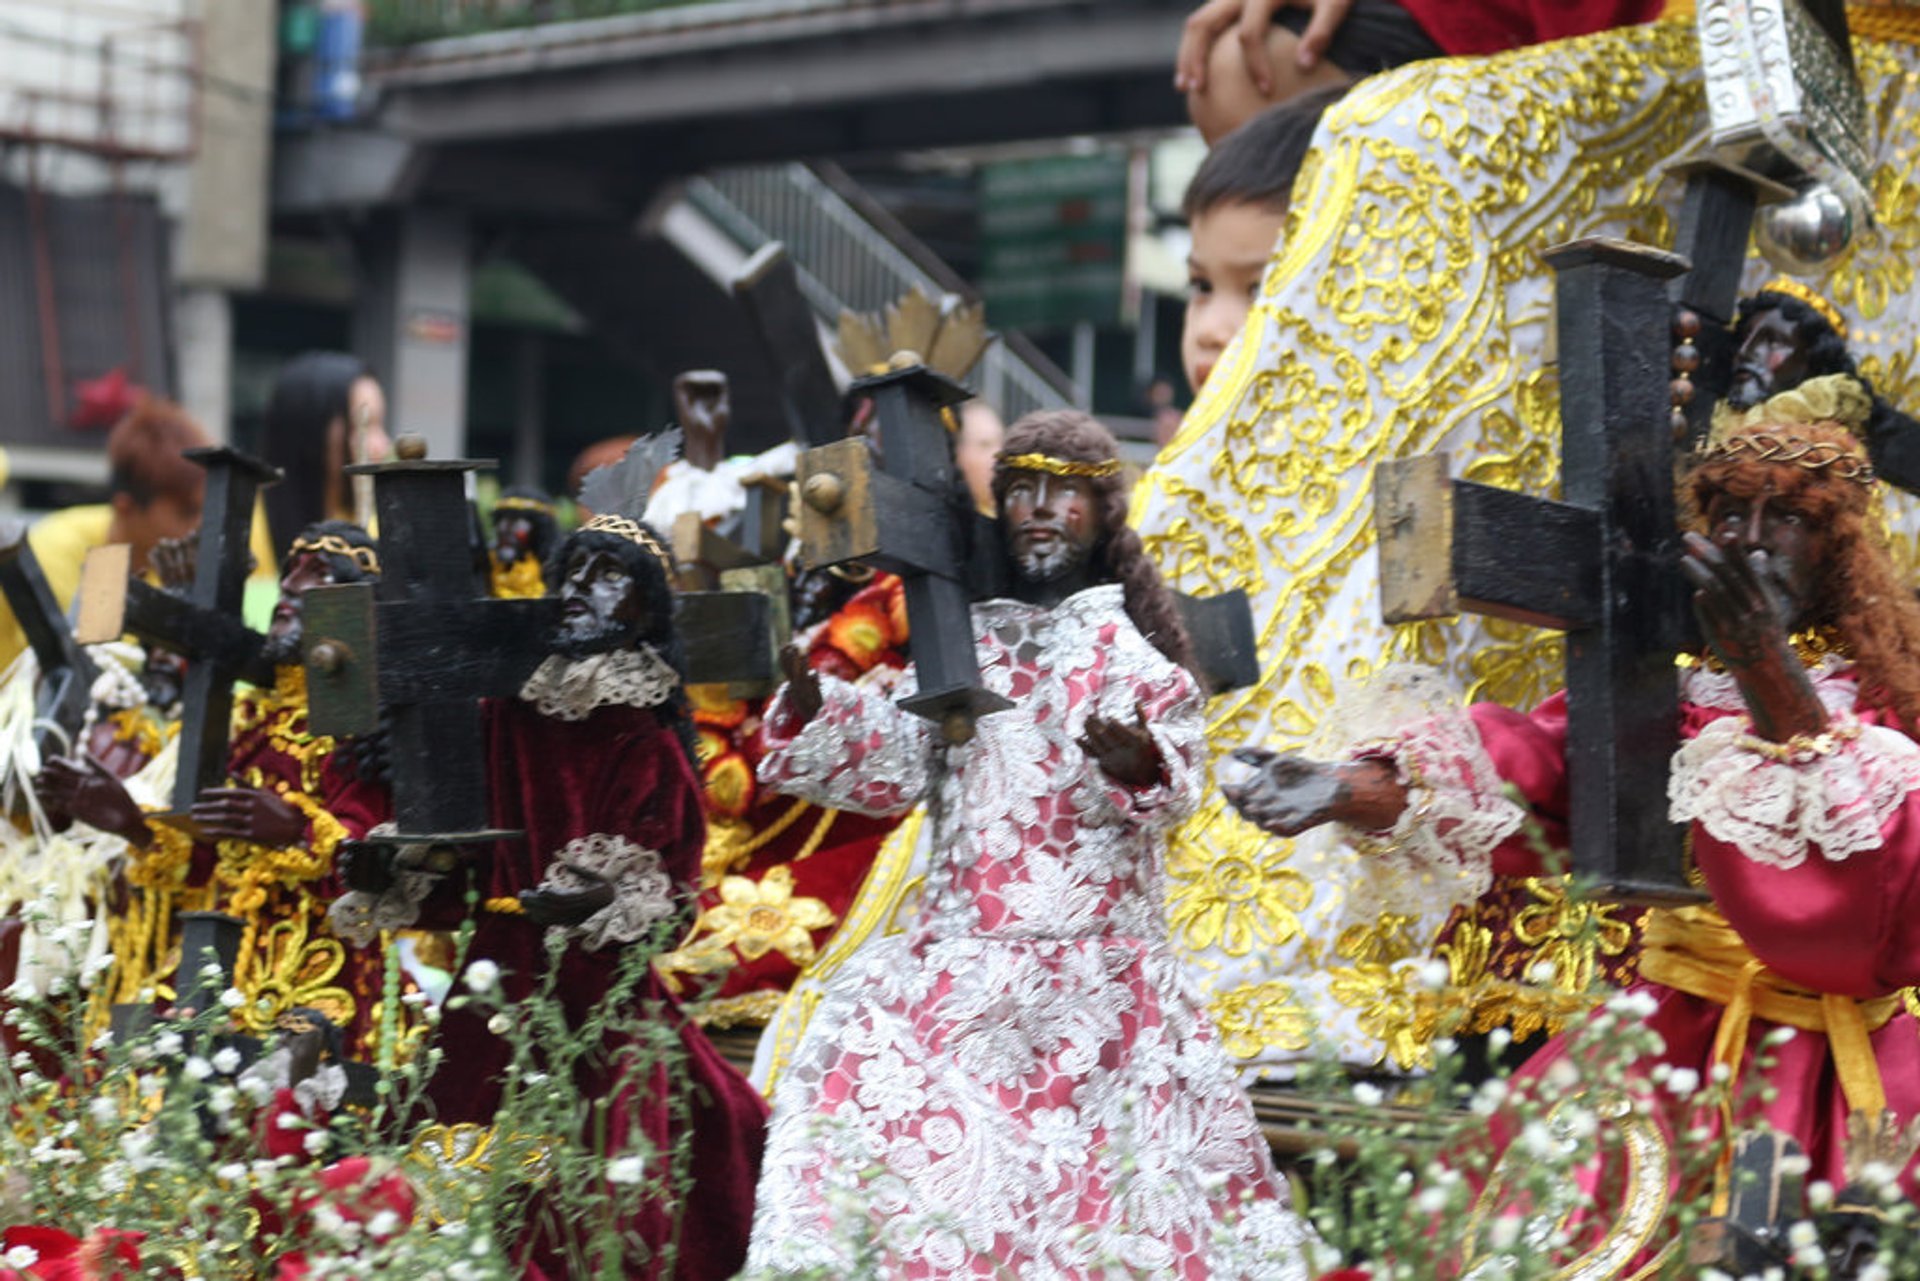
(1600,566)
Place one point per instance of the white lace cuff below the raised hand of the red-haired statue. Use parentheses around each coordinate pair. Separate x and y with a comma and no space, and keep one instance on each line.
(1775,802)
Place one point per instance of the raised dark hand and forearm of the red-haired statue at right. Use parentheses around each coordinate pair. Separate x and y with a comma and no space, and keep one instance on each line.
(1744,616)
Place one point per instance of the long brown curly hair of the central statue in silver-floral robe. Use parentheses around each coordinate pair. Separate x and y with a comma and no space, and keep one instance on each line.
(1076,441)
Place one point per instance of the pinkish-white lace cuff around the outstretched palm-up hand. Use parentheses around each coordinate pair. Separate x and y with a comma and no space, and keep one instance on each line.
(1458,813)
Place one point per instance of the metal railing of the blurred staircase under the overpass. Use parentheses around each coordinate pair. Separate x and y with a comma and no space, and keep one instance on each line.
(852,256)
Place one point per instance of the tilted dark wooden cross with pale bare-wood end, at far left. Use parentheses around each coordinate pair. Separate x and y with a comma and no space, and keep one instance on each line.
(204,627)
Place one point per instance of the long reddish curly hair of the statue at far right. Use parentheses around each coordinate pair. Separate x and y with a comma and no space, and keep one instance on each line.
(1861,592)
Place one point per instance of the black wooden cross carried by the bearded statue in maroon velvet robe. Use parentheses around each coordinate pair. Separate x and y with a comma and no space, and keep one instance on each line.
(427,646)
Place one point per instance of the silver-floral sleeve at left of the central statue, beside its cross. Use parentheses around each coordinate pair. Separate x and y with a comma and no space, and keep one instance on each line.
(861,754)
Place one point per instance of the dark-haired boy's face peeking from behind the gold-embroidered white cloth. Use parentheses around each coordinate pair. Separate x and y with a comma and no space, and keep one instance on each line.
(1237,208)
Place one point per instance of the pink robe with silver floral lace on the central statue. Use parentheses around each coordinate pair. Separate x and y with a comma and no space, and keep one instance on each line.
(1022,1084)
